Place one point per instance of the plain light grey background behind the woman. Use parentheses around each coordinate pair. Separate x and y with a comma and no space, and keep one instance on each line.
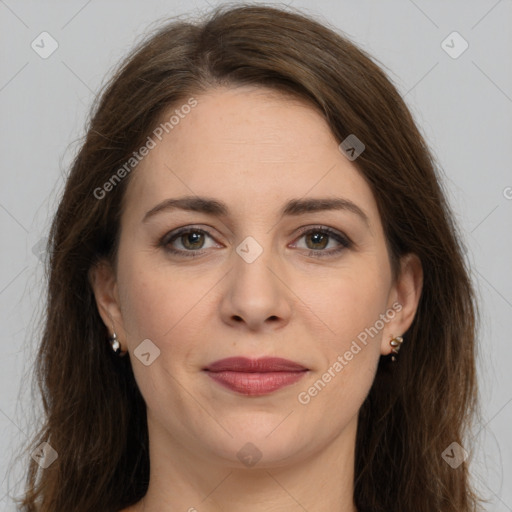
(463,106)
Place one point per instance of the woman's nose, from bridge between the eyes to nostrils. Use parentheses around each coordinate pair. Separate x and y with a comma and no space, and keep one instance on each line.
(256,297)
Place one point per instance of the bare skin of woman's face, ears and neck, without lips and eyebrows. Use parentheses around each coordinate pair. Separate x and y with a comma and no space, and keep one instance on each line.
(252,149)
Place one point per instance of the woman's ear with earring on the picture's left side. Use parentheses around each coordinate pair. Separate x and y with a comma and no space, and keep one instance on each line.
(104,284)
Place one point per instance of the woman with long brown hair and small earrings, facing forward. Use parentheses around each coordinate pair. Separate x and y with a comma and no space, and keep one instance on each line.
(257,297)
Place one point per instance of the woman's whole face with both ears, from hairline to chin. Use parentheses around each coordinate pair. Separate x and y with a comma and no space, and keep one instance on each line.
(256,276)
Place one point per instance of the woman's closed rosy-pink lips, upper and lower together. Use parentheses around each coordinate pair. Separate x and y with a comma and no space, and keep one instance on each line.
(255,377)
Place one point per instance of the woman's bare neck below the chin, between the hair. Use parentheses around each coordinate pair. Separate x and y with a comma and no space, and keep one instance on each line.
(183,478)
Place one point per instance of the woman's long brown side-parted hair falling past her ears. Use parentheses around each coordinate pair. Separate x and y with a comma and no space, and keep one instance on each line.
(95,416)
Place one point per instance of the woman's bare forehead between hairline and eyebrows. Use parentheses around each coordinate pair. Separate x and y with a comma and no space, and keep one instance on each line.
(251,148)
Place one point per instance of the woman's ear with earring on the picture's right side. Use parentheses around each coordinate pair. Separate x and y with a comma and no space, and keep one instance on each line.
(404,299)
